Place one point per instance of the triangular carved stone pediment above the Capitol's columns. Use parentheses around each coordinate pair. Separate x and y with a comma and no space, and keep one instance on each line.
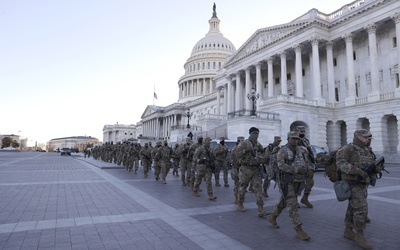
(265,37)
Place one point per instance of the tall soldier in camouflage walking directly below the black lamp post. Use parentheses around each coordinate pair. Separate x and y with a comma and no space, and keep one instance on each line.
(250,152)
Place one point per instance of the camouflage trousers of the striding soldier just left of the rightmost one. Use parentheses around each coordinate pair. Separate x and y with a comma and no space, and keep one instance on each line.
(290,202)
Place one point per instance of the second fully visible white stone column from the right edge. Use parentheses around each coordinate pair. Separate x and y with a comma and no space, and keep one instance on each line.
(351,91)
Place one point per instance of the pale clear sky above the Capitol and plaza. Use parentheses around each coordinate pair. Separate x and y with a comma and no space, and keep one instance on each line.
(69,67)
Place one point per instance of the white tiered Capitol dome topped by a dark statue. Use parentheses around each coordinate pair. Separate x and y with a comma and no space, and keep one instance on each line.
(207,57)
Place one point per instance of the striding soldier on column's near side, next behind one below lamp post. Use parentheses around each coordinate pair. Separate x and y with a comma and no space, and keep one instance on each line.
(205,165)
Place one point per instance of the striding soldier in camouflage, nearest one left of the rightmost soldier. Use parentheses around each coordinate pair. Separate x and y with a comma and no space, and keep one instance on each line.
(293,168)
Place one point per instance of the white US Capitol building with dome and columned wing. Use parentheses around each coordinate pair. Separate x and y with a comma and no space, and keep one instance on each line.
(331,73)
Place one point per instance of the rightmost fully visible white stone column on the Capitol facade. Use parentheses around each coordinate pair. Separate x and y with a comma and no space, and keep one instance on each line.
(373,56)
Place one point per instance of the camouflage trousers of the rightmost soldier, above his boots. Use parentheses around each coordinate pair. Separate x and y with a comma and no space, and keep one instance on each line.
(357,208)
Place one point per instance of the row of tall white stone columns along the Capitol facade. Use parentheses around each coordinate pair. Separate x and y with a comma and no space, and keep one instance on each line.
(236,91)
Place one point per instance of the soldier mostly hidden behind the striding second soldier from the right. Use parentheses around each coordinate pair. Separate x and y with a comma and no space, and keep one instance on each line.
(305,145)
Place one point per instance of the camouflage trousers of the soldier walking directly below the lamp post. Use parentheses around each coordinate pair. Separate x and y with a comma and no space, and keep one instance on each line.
(249,174)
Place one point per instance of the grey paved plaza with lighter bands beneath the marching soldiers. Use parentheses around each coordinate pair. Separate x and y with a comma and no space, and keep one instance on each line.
(48,201)
